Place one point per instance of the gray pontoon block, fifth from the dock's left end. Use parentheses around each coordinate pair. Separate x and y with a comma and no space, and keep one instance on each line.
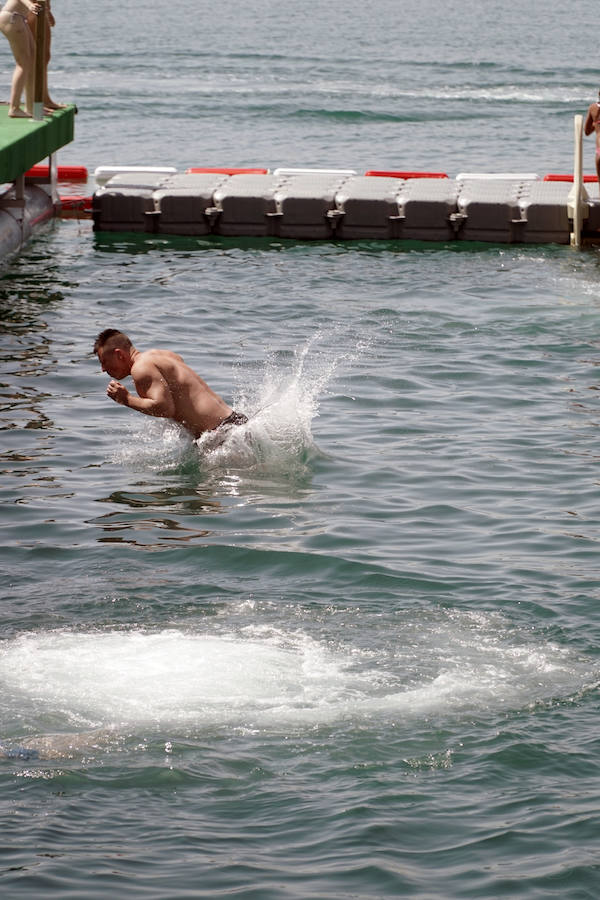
(368,207)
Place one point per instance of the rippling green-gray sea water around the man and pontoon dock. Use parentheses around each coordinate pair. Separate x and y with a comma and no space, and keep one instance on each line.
(352,651)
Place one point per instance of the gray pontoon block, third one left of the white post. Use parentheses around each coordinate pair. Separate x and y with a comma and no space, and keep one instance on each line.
(426,205)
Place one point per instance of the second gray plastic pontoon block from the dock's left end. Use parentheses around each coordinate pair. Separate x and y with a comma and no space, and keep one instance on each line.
(183,200)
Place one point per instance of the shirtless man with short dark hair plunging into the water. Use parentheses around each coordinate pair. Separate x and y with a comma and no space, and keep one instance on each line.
(166,386)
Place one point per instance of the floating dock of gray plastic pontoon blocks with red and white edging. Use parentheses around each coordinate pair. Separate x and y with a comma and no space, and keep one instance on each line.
(342,205)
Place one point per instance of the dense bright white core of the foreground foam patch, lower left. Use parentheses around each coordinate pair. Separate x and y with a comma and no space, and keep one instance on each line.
(169,677)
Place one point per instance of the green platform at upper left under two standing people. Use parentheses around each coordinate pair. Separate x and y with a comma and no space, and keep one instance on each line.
(24,142)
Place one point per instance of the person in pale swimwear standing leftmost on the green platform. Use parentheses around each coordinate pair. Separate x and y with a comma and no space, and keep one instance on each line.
(13,25)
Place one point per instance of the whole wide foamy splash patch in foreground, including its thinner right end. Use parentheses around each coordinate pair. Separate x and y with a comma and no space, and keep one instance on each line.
(271,680)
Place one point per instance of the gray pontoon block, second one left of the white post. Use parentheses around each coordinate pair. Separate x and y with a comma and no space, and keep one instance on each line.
(491,210)
